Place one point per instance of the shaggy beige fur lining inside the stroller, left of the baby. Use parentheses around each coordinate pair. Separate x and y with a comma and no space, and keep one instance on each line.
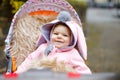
(25,34)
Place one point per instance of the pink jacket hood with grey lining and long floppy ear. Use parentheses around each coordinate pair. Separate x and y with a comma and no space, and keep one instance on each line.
(78,39)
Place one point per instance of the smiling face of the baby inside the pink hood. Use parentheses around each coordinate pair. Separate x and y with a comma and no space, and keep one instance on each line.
(61,36)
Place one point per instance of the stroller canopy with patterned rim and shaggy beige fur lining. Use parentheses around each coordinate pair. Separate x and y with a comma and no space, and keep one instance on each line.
(24,29)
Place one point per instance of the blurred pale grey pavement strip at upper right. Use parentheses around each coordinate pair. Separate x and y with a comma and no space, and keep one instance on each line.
(100,15)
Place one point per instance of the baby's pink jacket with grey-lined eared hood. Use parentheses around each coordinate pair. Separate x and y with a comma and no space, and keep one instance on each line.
(69,55)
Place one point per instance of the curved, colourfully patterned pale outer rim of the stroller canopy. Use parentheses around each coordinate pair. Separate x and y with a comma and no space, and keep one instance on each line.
(33,6)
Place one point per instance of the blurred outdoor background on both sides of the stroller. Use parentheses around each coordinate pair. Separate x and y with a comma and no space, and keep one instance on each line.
(101,25)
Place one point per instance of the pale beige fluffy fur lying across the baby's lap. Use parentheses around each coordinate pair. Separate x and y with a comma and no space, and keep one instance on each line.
(51,64)
